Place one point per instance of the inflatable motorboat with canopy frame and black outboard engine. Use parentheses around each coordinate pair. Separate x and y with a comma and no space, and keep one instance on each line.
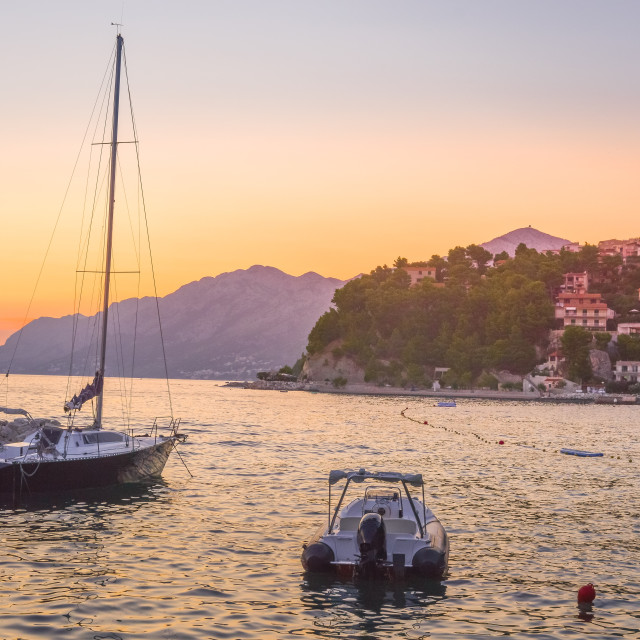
(386,532)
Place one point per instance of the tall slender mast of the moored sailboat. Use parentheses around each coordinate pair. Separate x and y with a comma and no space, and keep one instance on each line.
(112,189)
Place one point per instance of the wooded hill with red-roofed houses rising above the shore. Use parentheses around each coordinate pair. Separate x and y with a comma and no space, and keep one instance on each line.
(536,322)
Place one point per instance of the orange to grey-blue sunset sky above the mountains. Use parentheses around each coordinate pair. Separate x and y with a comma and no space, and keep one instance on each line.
(327,136)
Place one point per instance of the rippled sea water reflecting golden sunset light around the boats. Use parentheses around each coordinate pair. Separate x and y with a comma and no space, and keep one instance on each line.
(216,554)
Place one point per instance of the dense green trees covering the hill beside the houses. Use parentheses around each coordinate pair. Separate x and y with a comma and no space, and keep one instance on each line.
(472,319)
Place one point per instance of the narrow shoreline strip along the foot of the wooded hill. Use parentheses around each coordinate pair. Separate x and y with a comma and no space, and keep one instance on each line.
(444,395)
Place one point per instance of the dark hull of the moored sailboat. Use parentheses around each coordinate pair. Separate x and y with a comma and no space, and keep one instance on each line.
(47,475)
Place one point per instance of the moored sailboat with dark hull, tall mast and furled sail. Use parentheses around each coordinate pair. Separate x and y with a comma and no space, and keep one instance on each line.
(54,456)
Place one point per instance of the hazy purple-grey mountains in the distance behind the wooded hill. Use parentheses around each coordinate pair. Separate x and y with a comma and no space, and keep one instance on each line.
(226,327)
